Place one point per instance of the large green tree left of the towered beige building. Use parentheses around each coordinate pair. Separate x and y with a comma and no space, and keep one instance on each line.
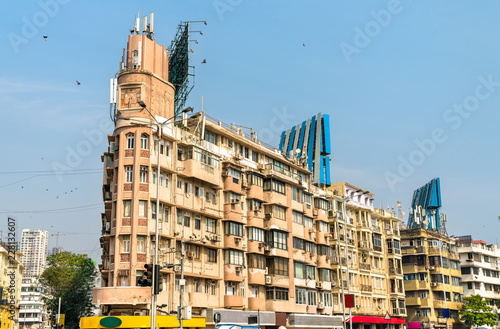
(71,277)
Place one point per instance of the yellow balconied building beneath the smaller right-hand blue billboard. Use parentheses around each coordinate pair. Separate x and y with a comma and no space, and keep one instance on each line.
(433,283)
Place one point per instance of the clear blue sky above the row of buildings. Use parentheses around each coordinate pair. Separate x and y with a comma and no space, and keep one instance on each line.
(412,89)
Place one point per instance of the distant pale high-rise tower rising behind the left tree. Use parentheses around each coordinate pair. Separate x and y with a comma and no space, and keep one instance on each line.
(34,250)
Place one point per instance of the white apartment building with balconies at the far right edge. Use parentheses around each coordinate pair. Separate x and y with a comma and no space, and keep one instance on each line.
(480,268)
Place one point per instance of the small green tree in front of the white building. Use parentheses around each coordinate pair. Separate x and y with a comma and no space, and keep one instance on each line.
(475,312)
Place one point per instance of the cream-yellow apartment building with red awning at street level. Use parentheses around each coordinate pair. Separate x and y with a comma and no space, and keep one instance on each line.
(371,238)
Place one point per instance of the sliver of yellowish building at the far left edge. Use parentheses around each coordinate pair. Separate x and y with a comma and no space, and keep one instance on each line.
(9,301)
